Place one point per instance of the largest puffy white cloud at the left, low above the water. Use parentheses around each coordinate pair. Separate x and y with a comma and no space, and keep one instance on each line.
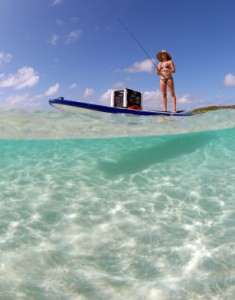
(25,77)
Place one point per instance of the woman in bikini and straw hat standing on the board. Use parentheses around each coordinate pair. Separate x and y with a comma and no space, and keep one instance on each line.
(165,69)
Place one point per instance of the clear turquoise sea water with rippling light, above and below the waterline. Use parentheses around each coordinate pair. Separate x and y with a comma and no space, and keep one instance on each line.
(115,207)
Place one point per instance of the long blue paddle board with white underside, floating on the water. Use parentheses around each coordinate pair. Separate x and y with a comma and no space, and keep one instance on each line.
(61,103)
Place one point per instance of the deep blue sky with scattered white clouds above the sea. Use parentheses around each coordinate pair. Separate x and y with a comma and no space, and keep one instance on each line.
(77,49)
